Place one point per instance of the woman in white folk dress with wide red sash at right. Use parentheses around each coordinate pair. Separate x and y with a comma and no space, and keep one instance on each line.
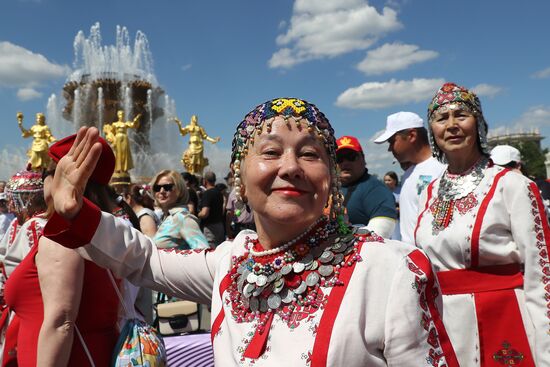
(485,230)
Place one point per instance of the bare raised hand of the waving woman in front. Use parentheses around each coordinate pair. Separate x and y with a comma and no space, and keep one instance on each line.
(73,171)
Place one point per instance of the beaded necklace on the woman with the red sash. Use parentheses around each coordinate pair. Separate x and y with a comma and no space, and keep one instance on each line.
(453,190)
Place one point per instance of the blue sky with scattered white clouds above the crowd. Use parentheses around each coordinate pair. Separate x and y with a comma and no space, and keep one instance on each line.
(357,60)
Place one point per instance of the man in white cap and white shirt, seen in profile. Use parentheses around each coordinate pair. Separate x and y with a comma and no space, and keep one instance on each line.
(408,142)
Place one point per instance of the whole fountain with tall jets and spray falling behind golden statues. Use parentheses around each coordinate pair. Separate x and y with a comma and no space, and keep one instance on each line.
(108,78)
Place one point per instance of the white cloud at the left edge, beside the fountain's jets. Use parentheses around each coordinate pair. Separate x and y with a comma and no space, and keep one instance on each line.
(20,67)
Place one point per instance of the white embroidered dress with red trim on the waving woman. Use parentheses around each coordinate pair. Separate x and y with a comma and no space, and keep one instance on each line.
(387,315)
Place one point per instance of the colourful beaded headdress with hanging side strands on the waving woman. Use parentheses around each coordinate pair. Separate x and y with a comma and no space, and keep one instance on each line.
(292,110)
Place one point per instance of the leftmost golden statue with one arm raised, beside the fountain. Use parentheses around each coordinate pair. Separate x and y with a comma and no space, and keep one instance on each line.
(42,137)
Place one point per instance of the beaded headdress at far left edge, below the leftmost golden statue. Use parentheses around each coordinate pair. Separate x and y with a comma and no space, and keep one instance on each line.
(23,186)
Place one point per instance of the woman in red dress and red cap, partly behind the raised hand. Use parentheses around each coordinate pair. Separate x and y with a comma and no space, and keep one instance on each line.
(57,294)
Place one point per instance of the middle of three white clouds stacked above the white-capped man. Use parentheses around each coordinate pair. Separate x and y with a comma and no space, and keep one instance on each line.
(392,57)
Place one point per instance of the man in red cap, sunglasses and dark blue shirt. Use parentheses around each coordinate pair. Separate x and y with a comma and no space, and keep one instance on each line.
(367,200)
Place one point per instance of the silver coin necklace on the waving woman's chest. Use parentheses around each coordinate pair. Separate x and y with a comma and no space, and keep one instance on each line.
(284,282)
